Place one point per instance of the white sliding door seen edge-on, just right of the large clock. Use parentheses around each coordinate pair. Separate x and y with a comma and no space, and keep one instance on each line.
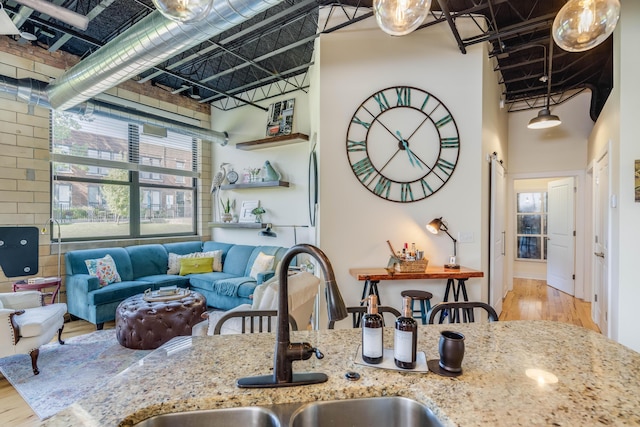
(497,288)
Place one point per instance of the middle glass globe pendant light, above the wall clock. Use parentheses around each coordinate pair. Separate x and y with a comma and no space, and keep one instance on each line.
(400,17)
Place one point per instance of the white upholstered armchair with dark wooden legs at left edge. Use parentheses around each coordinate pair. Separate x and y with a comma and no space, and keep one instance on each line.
(26,324)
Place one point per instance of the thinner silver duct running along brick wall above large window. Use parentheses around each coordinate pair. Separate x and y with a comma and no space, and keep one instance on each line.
(33,92)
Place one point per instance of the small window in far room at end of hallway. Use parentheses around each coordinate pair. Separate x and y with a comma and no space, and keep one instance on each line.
(531,232)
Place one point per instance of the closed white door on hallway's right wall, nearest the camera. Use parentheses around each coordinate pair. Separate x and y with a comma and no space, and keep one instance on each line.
(601,244)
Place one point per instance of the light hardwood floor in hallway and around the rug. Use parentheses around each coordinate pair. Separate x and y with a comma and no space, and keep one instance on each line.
(529,300)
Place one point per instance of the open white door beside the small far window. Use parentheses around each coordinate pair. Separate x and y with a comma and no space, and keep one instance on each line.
(560,235)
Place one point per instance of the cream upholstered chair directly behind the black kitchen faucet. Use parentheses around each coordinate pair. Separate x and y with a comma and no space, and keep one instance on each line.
(245,318)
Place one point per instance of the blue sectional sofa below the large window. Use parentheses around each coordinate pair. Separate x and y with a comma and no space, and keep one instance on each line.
(144,267)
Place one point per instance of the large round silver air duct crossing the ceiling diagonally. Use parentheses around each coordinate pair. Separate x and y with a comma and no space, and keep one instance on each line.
(148,43)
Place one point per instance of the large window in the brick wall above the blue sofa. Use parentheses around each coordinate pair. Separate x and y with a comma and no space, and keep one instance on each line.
(110,180)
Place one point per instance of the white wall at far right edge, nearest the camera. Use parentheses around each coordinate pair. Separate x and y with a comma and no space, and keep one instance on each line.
(618,124)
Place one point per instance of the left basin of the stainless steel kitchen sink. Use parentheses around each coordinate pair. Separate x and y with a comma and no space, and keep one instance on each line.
(231,417)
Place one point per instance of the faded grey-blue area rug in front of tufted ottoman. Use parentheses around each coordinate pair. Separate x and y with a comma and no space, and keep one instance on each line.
(68,372)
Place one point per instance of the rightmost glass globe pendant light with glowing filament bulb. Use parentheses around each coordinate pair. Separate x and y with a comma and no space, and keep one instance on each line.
(584,24)
